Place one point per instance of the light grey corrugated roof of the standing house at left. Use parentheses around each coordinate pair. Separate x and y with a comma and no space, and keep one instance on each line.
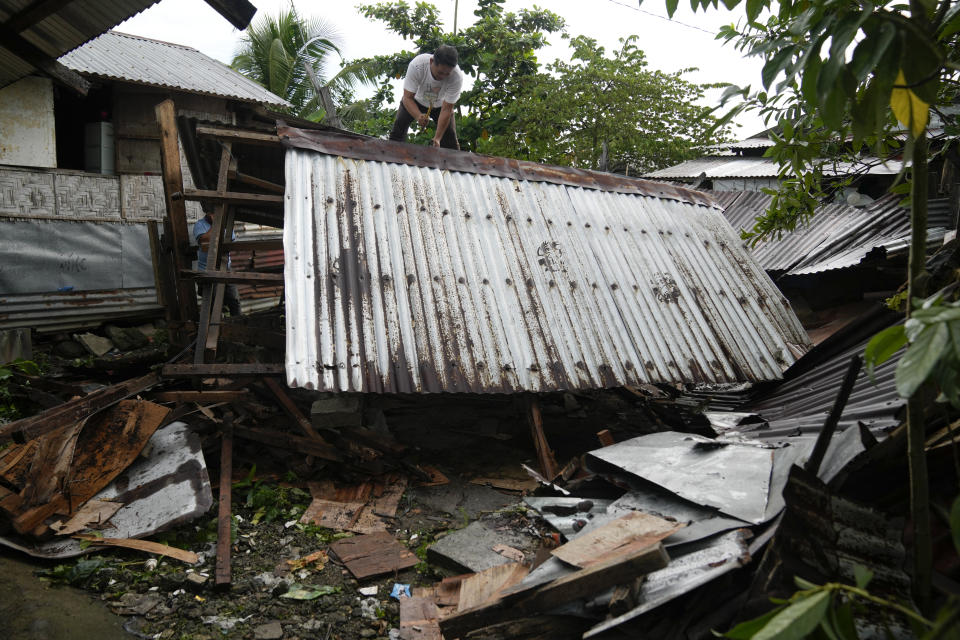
(119,56)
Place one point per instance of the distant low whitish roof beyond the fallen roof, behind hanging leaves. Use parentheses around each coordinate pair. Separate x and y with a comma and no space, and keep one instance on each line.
(715,168)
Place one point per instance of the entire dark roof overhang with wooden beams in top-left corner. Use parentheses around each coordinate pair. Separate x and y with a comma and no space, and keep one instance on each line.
(33,34)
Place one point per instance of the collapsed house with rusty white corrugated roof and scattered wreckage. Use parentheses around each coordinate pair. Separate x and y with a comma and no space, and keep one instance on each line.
(428,272)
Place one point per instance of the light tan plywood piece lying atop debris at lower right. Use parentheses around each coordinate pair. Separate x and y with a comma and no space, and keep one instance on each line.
(633,530)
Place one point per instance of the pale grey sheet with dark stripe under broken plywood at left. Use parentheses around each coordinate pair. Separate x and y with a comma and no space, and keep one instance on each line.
(166,488)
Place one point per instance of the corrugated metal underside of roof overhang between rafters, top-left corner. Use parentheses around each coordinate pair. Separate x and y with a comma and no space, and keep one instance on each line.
(67,28)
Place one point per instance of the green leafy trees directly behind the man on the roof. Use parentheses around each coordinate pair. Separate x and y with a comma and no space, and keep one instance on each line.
(593,112)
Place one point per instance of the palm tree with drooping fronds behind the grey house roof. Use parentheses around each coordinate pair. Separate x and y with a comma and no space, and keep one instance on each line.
(291,56)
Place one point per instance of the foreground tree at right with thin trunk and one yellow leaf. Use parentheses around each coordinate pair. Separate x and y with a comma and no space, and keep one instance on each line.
(837,70)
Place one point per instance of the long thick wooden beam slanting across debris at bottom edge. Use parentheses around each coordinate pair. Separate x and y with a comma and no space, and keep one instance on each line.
(521,602)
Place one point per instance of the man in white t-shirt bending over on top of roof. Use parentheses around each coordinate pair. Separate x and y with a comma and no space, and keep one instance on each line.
(431,90)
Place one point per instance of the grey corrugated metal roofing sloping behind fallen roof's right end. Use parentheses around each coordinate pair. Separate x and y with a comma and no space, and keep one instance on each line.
(836,237)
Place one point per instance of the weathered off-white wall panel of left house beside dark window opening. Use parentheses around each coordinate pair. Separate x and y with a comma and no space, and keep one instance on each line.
(27,135)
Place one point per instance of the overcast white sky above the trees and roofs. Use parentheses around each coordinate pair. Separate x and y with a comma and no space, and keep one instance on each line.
(687,41)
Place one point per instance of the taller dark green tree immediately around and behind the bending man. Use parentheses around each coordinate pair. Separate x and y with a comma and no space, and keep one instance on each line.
(498,51)
